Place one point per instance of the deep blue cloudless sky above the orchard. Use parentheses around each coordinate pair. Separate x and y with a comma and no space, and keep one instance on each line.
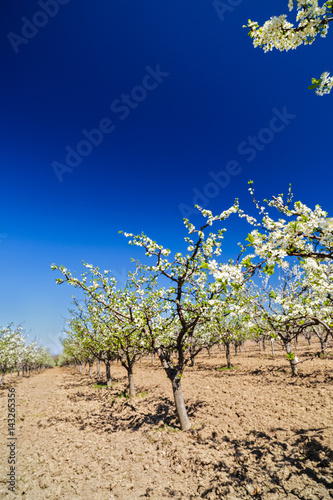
(178,93)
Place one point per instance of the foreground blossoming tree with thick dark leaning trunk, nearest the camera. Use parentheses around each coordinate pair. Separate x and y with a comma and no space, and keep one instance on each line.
(191,295)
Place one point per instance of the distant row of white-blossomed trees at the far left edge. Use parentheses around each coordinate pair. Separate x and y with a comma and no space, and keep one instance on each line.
(17,354)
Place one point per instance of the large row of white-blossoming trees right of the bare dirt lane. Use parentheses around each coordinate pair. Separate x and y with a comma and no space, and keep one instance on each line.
(174,306)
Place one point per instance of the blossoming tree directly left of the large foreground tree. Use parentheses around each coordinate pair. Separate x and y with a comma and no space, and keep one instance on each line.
(126,320)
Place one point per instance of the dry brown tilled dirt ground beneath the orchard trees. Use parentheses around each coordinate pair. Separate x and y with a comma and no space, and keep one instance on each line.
(256,432)
